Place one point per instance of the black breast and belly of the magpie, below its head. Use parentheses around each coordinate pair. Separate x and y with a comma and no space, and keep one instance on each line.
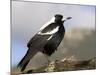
(54,42)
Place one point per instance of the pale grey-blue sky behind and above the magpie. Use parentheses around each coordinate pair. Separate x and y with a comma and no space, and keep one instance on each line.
(28,17)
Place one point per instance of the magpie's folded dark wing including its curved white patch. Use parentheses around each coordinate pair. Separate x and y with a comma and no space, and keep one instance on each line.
(42,36)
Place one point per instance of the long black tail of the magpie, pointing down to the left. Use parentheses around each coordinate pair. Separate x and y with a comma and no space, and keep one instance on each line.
(23,63)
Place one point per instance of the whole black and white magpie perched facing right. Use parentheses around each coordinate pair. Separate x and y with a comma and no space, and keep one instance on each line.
(46,40)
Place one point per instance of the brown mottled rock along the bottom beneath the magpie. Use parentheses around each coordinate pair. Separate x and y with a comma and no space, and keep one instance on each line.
(66,65)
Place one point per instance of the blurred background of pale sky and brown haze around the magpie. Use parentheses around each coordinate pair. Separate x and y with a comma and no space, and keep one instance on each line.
(80,37)
